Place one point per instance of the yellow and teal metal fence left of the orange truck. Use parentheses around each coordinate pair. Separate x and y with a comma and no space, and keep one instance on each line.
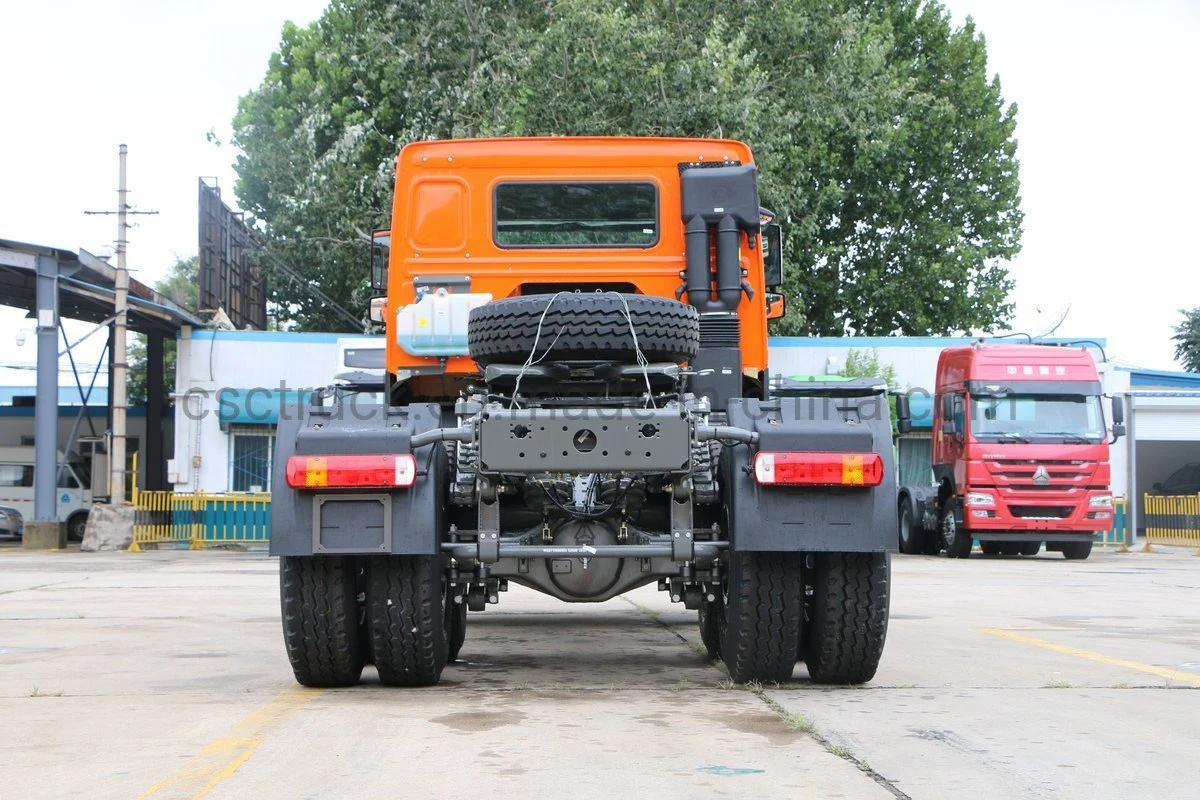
(199,520)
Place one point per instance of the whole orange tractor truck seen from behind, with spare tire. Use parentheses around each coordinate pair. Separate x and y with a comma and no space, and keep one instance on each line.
(579,401)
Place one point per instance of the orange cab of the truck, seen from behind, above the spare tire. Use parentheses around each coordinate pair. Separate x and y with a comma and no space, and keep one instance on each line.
(477,221)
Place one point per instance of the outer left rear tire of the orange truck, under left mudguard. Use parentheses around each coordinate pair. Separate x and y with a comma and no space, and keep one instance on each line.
(319,603)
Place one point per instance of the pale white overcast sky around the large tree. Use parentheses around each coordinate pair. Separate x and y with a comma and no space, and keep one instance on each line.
(1107,124)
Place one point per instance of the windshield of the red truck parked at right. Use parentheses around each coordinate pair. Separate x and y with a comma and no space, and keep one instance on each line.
(1037,418)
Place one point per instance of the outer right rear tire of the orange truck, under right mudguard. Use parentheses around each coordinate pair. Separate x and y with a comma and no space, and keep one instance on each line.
(848,617)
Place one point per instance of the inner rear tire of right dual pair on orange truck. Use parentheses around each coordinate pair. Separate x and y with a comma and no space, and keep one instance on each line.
(764,606)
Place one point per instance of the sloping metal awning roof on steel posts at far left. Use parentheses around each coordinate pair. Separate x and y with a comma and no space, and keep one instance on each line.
(87,290)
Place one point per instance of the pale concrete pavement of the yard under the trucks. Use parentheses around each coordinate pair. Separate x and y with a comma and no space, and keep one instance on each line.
(164,675)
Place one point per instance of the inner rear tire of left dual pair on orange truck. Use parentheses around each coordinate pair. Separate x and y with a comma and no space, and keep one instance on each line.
(406,617)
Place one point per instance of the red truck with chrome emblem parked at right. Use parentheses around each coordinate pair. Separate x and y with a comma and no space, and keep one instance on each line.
(1019,454)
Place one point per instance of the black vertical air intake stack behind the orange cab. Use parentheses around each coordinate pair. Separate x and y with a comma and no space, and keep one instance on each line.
(721,200)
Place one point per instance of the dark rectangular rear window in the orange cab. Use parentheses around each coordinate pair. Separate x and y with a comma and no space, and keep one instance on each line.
(578,214)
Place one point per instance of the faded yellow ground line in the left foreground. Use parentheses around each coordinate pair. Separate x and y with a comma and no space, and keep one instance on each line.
(221,757)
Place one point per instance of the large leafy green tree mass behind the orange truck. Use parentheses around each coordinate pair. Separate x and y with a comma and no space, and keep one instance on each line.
(883,143)
